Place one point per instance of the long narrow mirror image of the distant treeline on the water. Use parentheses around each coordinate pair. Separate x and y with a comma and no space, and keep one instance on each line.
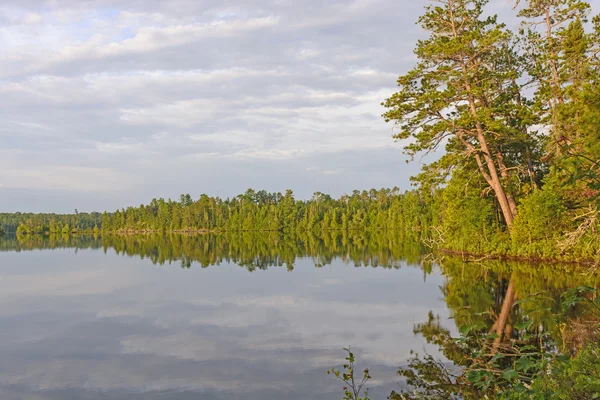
(249,249)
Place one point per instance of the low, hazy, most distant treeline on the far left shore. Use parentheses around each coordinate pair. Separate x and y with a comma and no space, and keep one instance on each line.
(30,223)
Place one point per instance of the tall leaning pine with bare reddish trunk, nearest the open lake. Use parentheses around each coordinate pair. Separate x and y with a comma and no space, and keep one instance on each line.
(463,92)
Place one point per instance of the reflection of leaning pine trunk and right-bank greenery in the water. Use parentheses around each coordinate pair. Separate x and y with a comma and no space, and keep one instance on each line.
(496,296)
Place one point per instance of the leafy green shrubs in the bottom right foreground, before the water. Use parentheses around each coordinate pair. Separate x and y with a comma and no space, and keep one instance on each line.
(522,366)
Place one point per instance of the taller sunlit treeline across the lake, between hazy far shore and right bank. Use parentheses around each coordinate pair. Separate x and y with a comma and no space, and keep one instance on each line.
(384,209)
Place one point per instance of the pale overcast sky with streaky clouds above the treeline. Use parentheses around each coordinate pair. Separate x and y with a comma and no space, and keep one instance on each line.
(106,103)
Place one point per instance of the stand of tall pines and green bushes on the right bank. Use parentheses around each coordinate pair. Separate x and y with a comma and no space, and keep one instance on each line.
(520,175)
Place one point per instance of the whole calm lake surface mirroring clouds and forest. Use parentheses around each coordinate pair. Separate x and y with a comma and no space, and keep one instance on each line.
(252,316)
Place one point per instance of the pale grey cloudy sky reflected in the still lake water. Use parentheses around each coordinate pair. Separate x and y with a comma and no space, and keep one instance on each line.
(120,324)
